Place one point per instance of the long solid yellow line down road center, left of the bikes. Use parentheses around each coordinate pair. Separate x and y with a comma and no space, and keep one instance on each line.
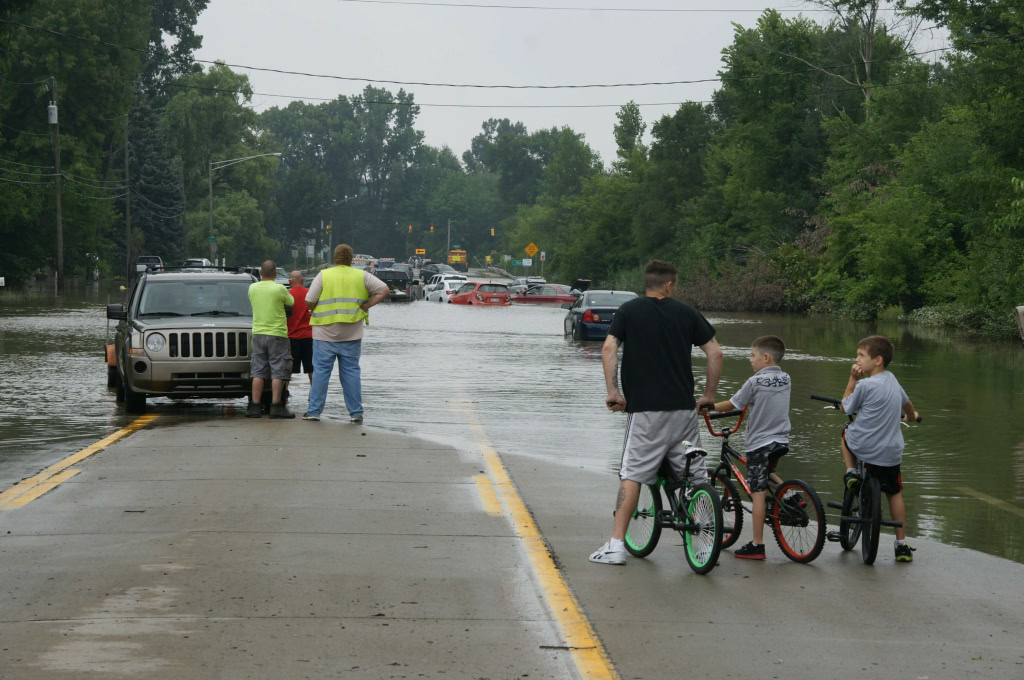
(588,653)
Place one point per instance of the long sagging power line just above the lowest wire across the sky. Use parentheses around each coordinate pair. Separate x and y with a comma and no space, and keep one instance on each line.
(488,87)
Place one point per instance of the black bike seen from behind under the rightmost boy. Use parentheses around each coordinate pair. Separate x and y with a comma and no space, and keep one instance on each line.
(861,512)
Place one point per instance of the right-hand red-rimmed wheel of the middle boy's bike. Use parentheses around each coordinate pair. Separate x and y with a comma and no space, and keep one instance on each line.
(798,522)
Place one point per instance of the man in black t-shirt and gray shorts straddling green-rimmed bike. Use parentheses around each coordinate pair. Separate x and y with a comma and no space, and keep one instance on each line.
(658,334)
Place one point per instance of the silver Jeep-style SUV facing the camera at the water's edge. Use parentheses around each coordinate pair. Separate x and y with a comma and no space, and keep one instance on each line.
(184,335)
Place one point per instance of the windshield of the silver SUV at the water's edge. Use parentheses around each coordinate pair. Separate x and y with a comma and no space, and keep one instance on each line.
(186,299)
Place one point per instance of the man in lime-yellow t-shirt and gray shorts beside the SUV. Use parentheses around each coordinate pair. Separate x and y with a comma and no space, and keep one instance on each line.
(272,353)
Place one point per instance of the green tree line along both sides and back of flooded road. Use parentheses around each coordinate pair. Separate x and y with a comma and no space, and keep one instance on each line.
(836,168)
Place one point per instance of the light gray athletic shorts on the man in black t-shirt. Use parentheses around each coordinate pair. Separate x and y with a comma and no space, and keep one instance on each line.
(654,436)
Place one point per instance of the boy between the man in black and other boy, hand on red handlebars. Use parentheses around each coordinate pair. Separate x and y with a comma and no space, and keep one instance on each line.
(767,393)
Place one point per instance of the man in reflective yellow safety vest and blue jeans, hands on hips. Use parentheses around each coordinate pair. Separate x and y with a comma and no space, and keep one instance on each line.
(339,300)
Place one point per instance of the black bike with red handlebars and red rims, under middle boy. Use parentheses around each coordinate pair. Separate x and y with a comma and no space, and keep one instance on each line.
(793,509)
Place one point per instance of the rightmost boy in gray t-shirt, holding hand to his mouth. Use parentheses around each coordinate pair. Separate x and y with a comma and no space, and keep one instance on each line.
(875,437)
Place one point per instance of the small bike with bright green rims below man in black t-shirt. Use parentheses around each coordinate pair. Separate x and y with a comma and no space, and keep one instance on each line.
(694,509)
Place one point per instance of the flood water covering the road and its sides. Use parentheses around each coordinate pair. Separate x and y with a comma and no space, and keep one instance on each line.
(539,395)
